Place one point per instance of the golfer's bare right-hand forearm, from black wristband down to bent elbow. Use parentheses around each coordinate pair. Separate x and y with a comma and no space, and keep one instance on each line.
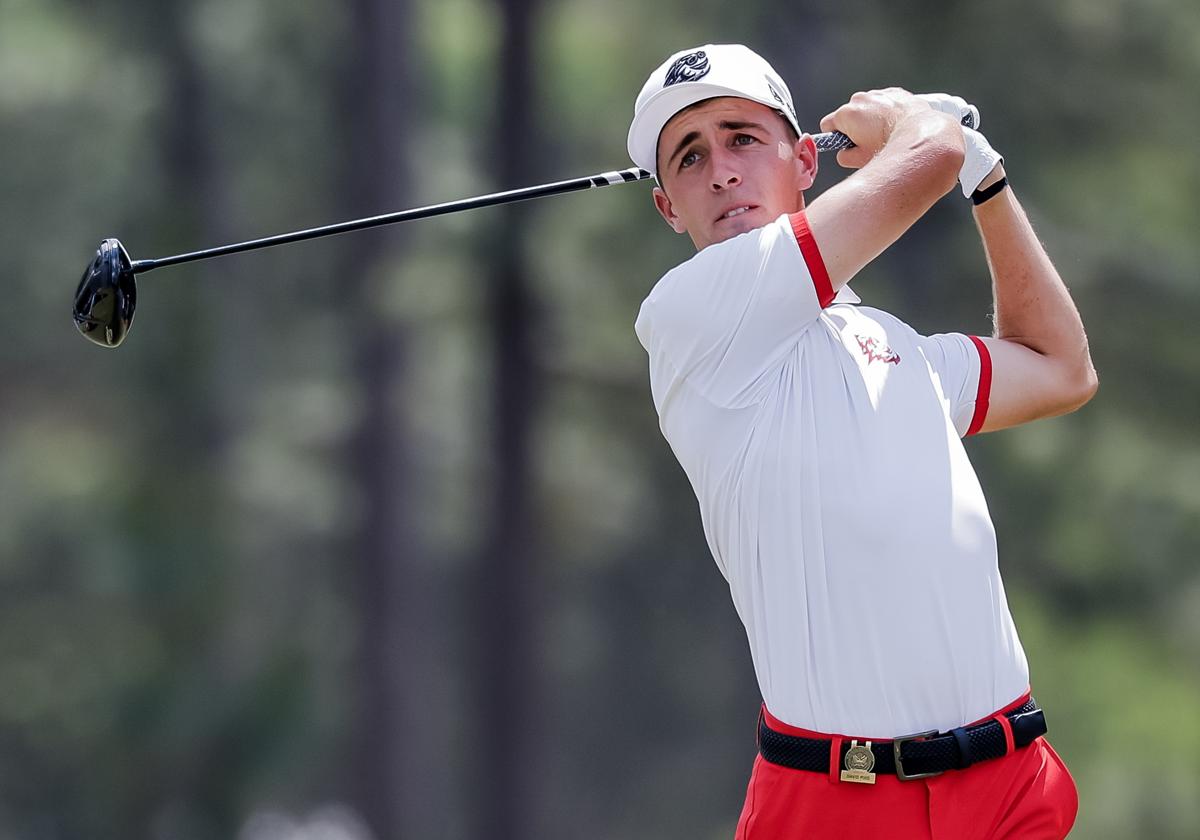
(1033,305)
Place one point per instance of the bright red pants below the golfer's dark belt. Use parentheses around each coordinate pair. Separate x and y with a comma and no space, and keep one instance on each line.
(1029,795)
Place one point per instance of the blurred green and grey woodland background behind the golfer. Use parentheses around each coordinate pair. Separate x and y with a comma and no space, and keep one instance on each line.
(376,537)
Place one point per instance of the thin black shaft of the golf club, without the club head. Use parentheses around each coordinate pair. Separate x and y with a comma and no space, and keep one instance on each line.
(826,142)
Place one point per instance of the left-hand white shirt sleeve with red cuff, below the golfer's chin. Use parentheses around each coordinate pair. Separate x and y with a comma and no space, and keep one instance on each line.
(729,316)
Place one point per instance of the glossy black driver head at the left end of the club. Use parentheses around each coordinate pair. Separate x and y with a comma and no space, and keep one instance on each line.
(107,296)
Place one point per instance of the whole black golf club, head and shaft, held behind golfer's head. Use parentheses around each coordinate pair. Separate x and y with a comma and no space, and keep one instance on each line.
(106,298)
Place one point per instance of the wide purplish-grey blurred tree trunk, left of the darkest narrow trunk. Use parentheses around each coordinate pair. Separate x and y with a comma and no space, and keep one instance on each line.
(391,741)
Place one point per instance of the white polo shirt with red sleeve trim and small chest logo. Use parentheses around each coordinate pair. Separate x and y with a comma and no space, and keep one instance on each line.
(823,441)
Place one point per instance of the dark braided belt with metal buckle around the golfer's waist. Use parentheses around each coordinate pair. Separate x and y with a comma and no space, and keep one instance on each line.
(916,757)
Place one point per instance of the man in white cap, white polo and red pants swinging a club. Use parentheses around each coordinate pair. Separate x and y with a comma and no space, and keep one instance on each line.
(824,443)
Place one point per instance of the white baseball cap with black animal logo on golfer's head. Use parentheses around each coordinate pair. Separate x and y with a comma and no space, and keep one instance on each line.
(692,76)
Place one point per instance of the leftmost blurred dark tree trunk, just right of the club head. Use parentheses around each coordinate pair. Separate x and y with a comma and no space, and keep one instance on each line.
(191,539)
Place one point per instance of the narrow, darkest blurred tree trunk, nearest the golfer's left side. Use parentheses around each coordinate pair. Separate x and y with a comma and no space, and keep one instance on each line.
(507,608)
